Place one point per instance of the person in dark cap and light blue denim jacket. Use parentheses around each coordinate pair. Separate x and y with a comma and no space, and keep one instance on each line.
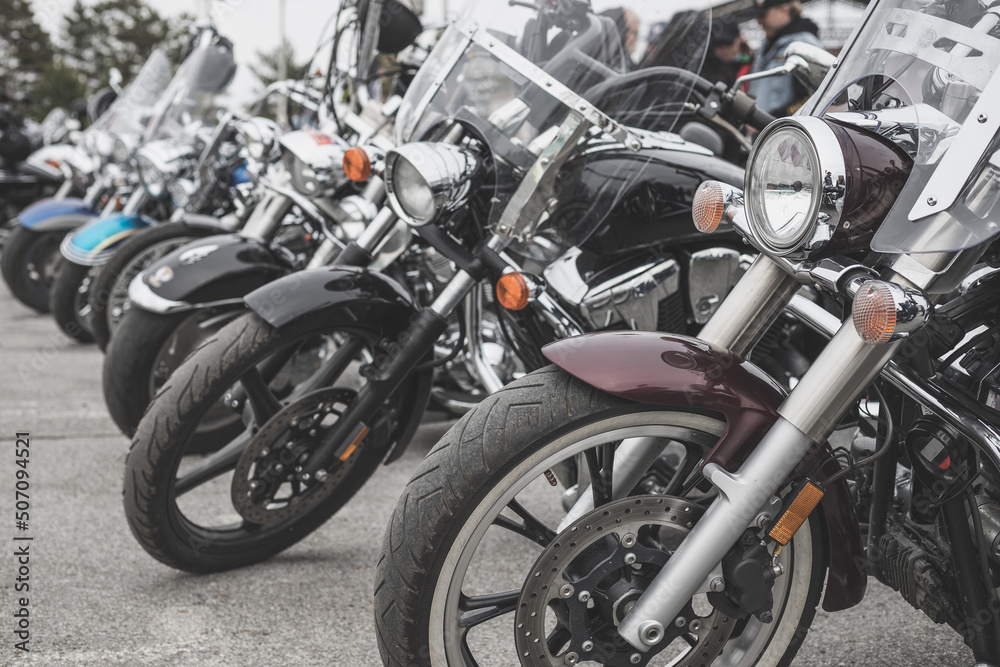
(783,23)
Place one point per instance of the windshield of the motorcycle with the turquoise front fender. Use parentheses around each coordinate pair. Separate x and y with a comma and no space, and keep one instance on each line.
(190,101)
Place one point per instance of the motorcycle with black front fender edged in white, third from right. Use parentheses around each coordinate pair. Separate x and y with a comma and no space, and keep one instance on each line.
(169,318)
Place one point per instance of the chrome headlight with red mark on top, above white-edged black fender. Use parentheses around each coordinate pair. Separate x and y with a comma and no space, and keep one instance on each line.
(314,161)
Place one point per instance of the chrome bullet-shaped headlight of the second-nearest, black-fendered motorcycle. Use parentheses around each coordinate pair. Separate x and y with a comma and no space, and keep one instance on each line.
(425,180)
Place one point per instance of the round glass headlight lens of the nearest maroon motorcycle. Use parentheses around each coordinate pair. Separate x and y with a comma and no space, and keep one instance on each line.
(785,188)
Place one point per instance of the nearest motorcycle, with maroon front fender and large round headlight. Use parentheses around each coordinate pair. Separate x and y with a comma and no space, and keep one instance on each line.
(671,502)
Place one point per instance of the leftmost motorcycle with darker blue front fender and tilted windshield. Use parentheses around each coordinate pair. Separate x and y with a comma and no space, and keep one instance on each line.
(31,253)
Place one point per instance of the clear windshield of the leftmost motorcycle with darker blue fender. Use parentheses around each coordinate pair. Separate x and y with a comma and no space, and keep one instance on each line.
(130,112)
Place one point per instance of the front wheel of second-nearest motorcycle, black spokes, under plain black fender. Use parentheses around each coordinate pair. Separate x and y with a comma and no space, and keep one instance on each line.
(290,387)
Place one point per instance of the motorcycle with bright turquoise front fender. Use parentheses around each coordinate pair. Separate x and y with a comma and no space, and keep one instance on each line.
(181,125)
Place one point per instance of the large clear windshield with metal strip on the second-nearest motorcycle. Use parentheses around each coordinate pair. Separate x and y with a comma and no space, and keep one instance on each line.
(485,63)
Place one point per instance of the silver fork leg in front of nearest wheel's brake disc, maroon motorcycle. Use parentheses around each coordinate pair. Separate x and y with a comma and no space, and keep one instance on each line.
(846,366)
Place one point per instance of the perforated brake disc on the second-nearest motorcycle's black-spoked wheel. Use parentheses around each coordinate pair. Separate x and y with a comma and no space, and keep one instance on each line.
(269,485)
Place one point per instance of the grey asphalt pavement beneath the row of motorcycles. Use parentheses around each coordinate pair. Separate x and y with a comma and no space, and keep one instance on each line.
(96,598)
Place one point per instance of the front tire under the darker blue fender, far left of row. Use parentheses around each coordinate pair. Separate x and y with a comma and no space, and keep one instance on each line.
(29,263)
